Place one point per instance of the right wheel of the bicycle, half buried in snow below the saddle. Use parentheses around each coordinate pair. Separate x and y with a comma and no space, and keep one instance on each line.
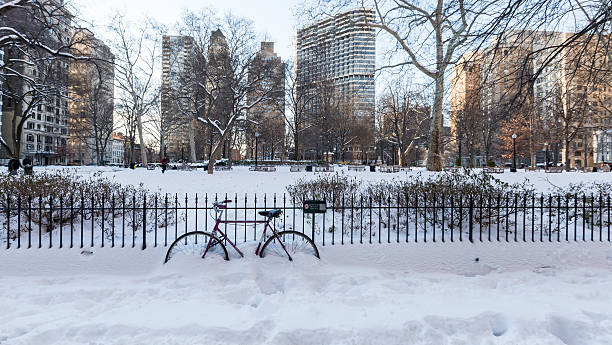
(296,243)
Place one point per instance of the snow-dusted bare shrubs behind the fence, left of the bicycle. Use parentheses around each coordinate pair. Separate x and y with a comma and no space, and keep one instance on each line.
(48,200)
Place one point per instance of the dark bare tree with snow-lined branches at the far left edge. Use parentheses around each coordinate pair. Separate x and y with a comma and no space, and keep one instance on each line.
(35,37)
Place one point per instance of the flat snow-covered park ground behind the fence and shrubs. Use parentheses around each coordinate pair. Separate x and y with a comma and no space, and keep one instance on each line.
(241,180)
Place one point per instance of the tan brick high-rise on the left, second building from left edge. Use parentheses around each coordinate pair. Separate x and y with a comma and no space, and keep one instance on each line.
(91,101)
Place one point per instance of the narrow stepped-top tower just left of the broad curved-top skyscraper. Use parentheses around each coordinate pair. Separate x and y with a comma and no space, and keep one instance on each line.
(268,77)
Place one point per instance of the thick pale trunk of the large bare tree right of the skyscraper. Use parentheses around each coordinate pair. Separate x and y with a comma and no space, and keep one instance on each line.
(434,158)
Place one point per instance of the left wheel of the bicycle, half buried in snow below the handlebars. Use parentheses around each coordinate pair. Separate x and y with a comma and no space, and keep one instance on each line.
(194,244)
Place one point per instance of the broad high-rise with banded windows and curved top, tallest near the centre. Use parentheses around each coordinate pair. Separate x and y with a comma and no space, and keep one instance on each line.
(335,64)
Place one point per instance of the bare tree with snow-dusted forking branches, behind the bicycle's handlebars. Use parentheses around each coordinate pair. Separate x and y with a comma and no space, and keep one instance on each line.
(225,72)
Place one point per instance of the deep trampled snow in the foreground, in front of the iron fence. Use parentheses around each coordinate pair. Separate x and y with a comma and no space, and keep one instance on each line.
(389,294)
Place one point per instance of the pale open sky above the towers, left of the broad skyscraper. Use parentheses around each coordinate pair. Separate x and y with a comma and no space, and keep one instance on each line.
(273,19)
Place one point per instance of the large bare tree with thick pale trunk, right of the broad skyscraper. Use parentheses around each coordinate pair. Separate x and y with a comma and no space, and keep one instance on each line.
(429,34)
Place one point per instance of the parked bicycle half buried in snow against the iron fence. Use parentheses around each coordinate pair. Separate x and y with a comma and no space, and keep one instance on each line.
(280,243)
